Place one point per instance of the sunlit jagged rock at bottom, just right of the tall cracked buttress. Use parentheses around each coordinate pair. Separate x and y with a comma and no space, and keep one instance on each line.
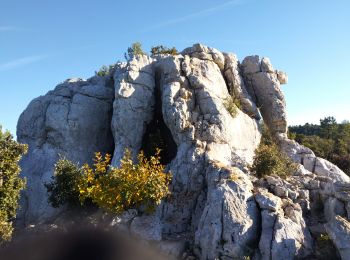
(284,234)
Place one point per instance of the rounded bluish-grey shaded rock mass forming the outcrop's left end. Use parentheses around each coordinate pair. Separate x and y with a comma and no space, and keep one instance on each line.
(73,120)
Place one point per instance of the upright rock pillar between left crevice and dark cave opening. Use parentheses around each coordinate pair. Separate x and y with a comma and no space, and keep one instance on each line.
(133,104)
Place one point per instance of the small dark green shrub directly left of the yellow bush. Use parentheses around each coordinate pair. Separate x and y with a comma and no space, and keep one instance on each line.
(63,188)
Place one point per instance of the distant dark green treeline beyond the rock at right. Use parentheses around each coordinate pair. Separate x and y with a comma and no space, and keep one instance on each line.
(329,140)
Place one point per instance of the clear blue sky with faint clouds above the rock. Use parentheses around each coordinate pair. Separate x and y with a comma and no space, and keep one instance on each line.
(44,42)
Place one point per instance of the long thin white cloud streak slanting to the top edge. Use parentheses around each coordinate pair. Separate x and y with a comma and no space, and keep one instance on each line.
(195,15)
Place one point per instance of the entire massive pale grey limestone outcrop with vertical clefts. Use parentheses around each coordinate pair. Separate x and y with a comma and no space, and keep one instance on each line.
(217,209)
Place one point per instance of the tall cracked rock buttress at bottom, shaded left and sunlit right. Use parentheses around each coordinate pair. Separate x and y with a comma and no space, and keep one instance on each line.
(229,223)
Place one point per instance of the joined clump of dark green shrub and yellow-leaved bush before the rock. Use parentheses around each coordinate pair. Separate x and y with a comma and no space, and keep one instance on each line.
(114,189)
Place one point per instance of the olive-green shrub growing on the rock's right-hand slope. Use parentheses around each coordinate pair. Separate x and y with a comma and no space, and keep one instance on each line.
(269,160)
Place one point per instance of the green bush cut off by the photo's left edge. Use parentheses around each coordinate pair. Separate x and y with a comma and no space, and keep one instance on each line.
(10,182)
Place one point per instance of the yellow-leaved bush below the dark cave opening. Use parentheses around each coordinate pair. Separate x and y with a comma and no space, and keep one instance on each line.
(129,186)
